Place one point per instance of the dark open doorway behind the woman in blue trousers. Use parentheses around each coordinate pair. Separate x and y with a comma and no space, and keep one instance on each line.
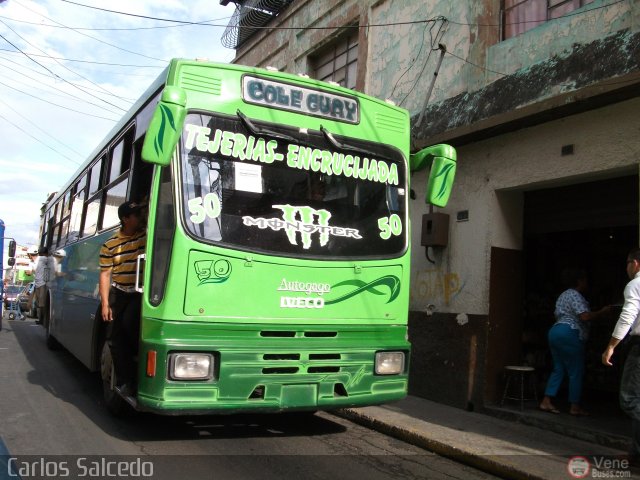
(591,226)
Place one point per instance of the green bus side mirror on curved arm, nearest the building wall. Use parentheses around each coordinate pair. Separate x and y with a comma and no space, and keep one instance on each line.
(443,170)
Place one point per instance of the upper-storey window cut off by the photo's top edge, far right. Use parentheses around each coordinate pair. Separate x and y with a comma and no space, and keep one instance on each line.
(520,16)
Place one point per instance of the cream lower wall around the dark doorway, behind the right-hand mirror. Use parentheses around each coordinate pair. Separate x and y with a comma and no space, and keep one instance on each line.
(492,174)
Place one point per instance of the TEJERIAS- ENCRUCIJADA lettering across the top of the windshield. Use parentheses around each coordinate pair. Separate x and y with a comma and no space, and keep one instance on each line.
(241,147)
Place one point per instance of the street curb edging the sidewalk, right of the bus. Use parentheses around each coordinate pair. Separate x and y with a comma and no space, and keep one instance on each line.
(485,463)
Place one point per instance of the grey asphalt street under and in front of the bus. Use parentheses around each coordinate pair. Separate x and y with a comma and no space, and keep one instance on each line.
(52,416)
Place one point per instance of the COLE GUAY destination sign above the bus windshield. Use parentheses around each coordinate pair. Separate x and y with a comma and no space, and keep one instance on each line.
(298,99)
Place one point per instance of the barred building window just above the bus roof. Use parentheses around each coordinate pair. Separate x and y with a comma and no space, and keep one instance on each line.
(338,61)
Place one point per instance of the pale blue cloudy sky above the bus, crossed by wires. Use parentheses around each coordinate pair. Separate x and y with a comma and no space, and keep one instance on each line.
(90,63)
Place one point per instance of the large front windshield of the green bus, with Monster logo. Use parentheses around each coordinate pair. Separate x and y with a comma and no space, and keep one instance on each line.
(292,192)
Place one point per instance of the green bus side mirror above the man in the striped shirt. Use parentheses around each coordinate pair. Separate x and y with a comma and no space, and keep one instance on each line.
(165,128)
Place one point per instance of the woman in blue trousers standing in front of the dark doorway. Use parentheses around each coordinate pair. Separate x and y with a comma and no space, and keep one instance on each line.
(567,339)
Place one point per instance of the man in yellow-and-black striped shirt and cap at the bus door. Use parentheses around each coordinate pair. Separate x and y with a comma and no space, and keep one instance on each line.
(121,304)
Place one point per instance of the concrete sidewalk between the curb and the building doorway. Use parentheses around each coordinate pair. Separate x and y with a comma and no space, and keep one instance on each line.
(505,448)
